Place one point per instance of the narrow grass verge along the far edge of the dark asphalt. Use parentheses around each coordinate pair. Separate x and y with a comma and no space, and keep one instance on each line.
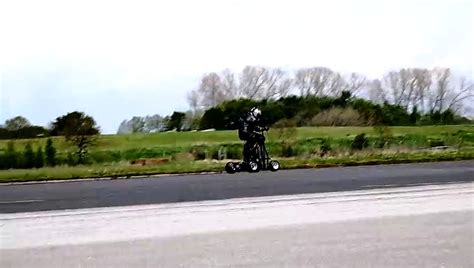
(124,170)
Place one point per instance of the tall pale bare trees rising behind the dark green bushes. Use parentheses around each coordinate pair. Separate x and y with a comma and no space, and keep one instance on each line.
(429,90)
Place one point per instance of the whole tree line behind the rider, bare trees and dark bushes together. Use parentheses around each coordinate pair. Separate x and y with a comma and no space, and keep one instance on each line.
(318,96)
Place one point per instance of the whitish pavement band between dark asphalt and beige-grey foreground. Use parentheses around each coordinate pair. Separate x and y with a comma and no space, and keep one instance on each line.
(84,226)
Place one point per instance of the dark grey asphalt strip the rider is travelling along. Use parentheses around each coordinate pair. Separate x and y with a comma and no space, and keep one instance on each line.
(172,189)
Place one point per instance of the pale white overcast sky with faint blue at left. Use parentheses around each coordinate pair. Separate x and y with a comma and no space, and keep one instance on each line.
(117,59)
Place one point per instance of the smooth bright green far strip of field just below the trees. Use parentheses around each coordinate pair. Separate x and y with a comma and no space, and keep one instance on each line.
(185,139)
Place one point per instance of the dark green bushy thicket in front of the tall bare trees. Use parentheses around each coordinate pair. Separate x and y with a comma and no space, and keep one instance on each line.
(344,110)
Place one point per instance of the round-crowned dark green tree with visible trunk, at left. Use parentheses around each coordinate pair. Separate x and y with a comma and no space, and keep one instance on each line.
(79,129)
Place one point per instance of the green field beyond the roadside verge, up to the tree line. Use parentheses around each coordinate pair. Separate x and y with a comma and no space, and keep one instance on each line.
(307,141)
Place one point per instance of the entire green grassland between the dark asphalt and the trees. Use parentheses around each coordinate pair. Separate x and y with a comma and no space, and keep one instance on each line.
(111,154)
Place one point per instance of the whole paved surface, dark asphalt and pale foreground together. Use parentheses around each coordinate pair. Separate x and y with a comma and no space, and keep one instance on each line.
(414,215)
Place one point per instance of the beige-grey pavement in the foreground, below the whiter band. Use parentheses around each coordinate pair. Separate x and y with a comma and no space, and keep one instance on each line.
(390,242)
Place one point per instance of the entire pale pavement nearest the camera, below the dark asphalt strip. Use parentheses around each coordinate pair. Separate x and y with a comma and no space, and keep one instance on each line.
(418,226)
